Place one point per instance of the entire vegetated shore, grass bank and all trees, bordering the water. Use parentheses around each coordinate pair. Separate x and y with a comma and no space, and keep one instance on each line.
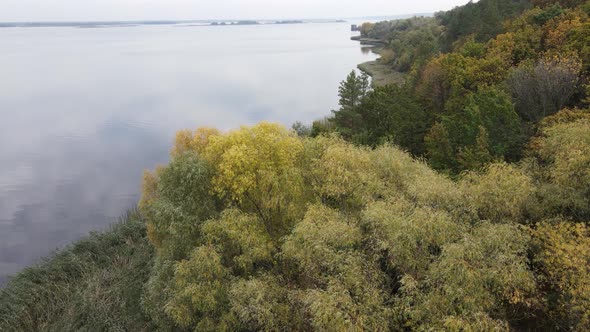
(455,200)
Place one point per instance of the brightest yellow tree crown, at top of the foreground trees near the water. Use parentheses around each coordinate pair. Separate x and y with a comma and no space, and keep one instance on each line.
(256,168)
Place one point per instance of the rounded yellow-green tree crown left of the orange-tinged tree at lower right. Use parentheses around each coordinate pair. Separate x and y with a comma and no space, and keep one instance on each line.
(484,274)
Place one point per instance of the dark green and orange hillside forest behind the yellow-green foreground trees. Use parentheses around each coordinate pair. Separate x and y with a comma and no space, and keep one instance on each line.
(480,80)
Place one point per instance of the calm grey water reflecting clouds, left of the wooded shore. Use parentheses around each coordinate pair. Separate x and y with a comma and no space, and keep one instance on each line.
(84,111)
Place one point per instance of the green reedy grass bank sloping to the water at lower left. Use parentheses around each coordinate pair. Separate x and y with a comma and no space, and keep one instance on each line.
(93,285)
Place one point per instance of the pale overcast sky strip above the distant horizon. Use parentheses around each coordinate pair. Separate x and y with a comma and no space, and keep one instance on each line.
(91,10)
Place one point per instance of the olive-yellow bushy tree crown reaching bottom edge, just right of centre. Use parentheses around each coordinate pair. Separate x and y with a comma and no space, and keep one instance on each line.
(340,285)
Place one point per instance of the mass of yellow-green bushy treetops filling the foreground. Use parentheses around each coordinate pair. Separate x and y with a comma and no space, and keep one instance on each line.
(318,234)
